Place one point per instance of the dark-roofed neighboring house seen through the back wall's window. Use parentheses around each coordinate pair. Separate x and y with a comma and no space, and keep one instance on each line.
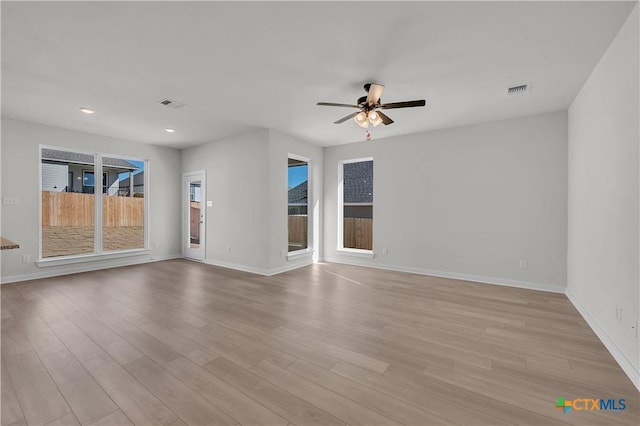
(358,189)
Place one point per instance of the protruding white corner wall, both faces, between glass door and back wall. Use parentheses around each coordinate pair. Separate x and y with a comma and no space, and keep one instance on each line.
(247,182)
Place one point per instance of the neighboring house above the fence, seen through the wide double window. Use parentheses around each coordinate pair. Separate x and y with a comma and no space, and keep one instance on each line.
(64,171)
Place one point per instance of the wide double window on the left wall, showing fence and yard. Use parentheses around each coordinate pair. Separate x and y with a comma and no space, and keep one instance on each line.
(76,219)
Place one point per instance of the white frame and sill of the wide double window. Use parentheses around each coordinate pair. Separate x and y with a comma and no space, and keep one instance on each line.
(98,252)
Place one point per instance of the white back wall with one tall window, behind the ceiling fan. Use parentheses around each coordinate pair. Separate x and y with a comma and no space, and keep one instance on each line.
(467,202)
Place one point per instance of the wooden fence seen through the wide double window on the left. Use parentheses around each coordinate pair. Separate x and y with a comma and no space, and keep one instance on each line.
(76,210)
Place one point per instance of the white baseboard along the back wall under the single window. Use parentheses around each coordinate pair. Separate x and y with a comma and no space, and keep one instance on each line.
(453,275)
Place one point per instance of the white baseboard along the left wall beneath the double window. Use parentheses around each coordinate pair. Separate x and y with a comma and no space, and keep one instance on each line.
(87,267)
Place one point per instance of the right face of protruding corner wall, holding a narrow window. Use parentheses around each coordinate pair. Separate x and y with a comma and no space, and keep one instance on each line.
(280,146)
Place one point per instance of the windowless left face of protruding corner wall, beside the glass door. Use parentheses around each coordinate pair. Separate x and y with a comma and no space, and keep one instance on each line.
(237,184)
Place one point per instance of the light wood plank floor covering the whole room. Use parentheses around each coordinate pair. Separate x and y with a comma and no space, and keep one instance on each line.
(179,342)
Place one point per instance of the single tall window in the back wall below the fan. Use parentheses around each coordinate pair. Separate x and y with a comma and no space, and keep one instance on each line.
(356,204)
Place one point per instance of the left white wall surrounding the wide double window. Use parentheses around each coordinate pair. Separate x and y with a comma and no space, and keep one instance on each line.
(20,173)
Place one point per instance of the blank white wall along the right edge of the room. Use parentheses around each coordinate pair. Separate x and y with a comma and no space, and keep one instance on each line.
(603,234)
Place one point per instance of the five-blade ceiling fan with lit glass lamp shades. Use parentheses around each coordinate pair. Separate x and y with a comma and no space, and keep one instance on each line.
(370,107)
